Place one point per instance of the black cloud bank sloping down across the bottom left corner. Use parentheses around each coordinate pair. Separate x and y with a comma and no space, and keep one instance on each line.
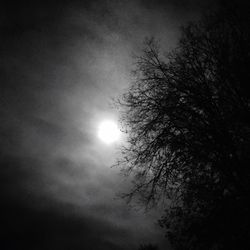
(26,228)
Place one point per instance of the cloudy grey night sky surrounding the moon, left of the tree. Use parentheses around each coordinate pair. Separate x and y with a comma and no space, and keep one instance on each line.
(61,64)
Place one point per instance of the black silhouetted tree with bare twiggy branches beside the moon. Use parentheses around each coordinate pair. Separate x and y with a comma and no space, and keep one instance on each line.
(187,118)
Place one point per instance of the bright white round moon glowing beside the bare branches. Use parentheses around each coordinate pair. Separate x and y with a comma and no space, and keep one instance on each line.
(108,131)
